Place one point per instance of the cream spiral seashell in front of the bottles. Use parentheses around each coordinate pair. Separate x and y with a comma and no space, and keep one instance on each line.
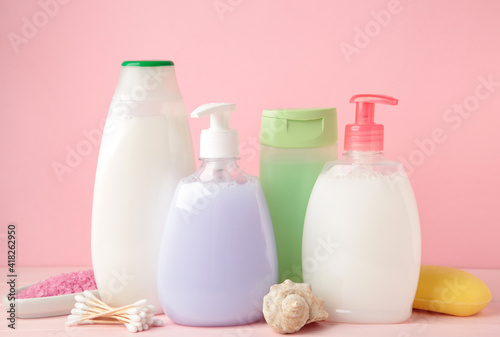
(289,306)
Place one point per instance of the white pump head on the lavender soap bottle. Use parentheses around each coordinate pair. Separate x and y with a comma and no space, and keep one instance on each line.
(219,141)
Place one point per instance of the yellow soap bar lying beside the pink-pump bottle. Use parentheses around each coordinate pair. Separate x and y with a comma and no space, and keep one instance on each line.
(450,291)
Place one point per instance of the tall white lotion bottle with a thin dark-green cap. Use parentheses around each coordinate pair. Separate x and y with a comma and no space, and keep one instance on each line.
(146,149)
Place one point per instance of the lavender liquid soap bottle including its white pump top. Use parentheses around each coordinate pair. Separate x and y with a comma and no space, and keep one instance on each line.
(218,255)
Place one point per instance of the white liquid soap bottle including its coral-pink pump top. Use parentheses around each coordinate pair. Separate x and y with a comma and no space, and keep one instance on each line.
(361,244)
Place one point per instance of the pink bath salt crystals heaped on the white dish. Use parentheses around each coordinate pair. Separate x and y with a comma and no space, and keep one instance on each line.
(62,284)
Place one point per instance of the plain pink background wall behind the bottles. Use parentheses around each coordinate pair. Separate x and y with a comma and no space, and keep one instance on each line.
(434,56)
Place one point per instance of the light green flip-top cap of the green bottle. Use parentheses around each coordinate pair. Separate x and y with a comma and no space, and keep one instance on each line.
(299,128)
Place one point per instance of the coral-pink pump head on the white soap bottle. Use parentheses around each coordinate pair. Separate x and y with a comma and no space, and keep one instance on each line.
(365,134)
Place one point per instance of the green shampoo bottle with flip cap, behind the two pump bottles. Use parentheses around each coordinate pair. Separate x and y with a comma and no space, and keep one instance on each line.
(295,144)
